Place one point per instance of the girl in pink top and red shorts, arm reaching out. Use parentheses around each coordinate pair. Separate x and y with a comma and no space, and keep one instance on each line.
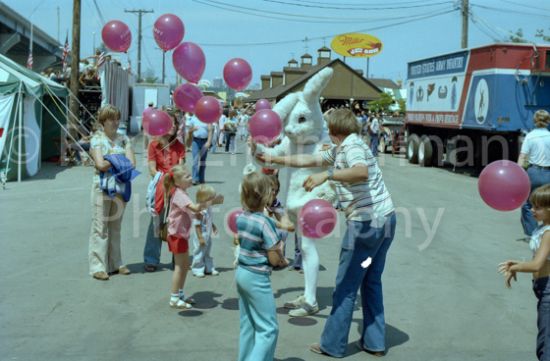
(181,212)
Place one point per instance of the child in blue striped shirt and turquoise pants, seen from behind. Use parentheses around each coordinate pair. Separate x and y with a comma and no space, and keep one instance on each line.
(260,249)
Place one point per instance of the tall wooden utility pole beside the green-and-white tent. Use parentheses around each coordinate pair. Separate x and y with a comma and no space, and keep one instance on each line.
(75,60)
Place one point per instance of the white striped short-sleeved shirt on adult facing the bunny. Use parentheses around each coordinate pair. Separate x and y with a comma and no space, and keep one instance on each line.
(361,201)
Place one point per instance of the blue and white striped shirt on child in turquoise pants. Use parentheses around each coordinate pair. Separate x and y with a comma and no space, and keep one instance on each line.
(256,234)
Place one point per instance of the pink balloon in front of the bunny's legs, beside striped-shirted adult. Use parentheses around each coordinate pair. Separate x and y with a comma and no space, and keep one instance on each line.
(317,218)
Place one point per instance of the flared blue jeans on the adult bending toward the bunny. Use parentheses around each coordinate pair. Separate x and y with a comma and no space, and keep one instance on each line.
(369,242)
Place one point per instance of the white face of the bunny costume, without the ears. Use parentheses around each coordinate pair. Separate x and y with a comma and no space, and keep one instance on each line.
(304,124)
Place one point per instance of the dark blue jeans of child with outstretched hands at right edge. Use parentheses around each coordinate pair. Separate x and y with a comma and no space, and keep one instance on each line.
(541,287)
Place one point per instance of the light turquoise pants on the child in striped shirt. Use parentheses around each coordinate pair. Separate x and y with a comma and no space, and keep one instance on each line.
(259,328)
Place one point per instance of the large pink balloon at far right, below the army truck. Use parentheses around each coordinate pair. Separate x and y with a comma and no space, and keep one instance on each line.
(504,185)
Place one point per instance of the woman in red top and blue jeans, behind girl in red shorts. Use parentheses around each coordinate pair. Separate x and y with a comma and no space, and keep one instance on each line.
(163,153)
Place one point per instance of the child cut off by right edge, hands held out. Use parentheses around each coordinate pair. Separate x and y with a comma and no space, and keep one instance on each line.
(539,266)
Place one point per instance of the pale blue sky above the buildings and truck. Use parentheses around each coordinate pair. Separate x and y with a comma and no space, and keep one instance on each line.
(229,28)
